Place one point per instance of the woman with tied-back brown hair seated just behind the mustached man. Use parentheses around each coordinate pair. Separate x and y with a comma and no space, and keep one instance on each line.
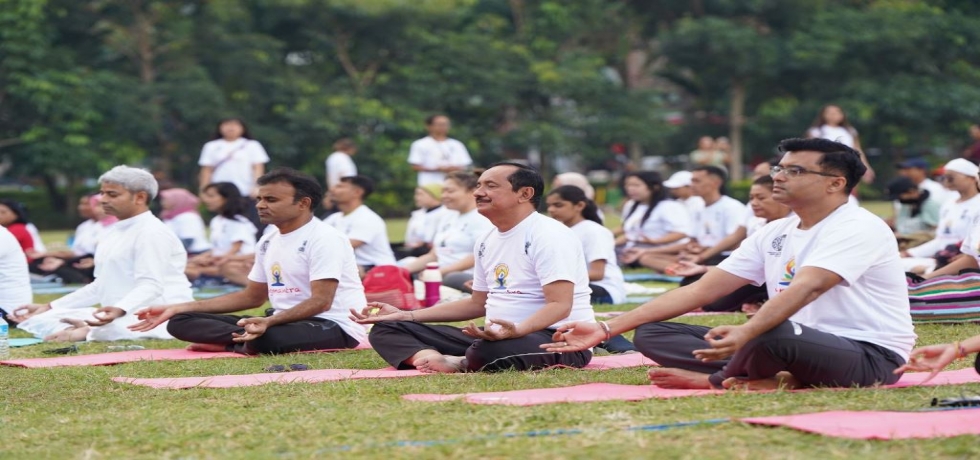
(452,247)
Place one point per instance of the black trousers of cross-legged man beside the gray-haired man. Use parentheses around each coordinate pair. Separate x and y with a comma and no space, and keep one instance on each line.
(308,334)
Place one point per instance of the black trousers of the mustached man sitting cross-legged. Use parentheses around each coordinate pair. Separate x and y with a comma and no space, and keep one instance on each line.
(398,341)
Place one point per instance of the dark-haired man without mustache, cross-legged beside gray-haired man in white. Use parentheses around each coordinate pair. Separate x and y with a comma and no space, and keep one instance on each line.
(304,268)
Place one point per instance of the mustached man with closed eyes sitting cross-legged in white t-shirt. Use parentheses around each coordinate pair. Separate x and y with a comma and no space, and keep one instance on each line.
(528,280)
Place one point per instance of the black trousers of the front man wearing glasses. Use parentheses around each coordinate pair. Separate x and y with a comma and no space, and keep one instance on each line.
(814,358)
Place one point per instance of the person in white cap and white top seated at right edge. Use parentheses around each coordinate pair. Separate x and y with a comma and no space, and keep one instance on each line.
(956,219)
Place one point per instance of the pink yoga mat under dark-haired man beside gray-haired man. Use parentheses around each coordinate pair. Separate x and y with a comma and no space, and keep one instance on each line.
(105,359)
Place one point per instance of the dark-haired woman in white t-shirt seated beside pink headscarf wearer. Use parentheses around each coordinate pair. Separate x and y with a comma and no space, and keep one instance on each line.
(232,235)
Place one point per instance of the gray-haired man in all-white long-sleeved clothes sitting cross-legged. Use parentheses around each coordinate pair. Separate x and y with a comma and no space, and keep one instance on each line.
(139,264)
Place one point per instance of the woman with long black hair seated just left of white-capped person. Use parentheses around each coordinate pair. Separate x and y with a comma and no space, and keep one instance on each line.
(651,219)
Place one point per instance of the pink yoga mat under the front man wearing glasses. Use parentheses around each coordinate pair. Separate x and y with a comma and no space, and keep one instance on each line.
(615,392)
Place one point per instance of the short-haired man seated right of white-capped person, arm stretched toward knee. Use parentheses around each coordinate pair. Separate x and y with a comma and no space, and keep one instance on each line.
(720,226)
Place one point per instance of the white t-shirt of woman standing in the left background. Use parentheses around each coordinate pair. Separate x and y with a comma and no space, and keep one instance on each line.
(233,161)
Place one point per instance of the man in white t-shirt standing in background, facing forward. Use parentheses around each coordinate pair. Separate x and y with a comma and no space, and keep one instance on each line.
(436,154)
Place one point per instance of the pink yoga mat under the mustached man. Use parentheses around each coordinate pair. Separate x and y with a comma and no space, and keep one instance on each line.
(330,375)
